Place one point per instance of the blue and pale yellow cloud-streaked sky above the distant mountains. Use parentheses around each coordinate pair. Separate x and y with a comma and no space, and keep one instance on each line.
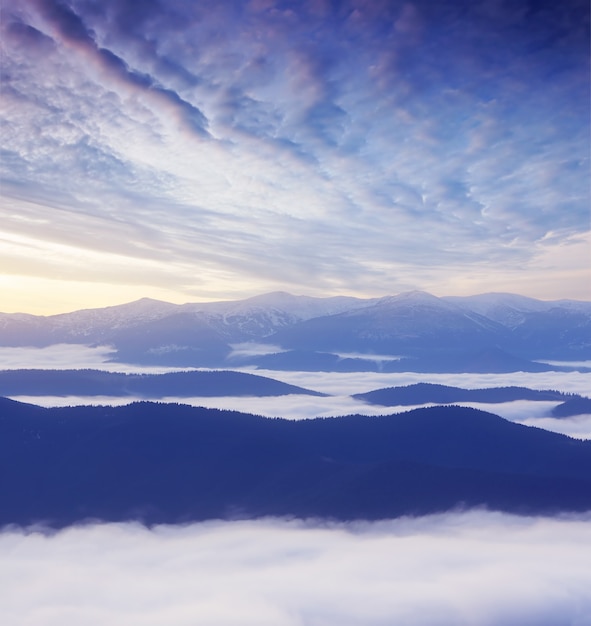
(194,150)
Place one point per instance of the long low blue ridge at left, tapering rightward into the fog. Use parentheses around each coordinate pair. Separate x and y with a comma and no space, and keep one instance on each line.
(89,382)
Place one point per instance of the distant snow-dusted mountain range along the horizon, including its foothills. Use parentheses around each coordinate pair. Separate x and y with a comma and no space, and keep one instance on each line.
(412,331)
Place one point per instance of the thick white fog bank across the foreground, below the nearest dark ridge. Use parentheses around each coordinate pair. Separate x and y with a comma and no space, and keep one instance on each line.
(465,568)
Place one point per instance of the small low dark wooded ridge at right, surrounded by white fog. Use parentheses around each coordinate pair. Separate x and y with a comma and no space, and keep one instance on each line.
(424,393)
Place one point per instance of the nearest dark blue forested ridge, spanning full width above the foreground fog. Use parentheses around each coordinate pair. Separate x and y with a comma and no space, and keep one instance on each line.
(173,463)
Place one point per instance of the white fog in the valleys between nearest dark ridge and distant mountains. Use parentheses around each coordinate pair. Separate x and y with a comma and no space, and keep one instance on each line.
(340,386)
